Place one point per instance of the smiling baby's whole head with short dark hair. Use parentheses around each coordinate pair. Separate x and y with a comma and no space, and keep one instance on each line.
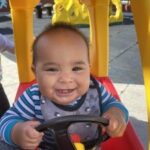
(61,63)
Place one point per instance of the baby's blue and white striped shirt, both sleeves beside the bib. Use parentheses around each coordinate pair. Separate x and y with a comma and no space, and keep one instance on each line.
(28,107)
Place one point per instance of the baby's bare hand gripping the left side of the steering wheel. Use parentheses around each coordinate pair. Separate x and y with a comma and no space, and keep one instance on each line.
(25,135)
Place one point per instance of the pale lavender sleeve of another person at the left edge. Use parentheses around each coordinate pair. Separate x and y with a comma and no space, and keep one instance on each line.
(6,44)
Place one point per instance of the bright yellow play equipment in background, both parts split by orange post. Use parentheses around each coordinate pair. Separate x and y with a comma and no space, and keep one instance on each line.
(75,12)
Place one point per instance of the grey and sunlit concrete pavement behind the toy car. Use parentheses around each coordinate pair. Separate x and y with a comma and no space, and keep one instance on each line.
(124,68)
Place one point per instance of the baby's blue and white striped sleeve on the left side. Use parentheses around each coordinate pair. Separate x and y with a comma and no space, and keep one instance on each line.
(22,110)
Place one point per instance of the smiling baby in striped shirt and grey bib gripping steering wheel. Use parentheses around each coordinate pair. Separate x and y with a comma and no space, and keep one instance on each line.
(64,87)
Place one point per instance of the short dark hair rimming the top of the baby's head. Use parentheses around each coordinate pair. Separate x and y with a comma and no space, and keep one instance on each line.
(55,27)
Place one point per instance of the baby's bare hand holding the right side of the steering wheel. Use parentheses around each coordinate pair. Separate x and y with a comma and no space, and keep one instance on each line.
(117,123)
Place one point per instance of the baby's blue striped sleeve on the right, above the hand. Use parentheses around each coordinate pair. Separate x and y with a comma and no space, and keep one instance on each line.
(108,101)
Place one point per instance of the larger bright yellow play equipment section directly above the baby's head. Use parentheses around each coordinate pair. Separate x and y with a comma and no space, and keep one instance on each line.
(71,11)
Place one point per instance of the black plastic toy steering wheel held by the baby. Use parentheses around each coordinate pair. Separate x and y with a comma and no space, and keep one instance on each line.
(60,125)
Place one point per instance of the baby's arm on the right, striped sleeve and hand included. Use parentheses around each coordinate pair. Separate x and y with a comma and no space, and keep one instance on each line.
(115,111)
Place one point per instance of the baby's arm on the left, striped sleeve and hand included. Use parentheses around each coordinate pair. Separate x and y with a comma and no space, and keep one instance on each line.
(15,127)
